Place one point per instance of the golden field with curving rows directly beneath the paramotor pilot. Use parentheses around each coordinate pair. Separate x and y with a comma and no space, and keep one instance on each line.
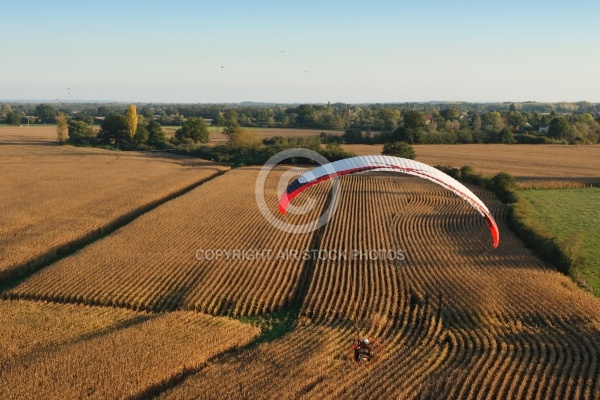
(456,318)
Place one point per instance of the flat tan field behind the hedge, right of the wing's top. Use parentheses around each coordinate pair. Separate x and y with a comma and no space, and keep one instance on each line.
(530,164)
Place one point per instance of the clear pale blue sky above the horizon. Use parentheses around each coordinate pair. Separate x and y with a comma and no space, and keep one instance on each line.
(301,51)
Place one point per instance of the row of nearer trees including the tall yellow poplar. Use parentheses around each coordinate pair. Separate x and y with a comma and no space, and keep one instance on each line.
(130,131)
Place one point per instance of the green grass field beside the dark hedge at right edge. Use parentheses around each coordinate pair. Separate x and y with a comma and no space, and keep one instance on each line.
(564,213)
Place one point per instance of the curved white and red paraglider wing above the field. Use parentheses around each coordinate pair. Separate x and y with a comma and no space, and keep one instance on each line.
(387,163)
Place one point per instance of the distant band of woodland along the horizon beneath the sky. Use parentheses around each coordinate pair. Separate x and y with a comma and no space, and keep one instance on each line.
(372,123)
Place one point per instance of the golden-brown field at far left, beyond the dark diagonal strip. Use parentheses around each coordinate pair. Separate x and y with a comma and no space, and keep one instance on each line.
(55,197)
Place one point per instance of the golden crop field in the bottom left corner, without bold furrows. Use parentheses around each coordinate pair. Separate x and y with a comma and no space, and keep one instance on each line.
(68,351)
